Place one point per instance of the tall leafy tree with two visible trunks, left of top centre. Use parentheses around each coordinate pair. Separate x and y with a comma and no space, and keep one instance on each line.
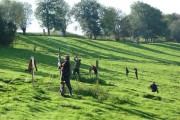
(53,14)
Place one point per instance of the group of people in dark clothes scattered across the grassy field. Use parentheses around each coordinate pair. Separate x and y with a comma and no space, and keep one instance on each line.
(66,73)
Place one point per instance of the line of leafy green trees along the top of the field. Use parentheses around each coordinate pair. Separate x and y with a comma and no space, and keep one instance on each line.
(95,20)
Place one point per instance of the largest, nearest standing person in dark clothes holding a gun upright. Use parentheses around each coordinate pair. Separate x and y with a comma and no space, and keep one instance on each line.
(65,75)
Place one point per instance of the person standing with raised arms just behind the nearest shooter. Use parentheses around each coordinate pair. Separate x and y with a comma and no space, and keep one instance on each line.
(76,66)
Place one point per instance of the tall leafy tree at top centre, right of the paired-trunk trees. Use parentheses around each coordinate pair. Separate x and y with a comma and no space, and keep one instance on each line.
(87,14)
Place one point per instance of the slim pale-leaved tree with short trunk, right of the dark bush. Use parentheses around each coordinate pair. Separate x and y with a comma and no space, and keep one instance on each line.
(26,16)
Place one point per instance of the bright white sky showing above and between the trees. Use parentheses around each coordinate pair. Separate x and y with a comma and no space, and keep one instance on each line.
(165,6)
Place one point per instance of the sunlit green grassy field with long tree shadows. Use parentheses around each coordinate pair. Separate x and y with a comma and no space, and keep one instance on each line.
(115,96)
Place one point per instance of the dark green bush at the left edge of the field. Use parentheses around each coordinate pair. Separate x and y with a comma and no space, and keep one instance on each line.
(7,32)
